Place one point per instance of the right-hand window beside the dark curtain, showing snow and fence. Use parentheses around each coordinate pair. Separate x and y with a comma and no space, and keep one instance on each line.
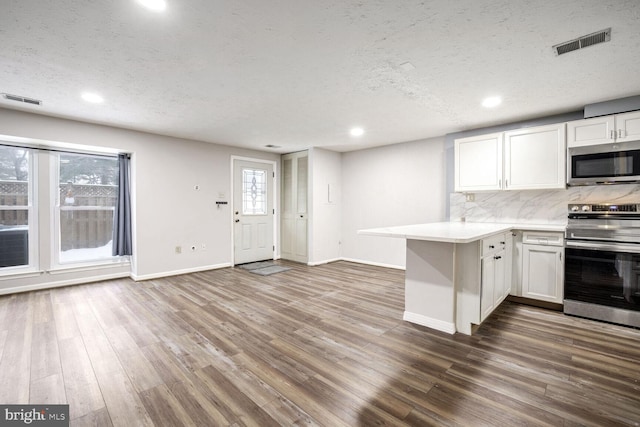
(87,188)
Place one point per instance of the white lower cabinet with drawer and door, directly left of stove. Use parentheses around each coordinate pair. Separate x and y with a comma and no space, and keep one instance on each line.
(542,266)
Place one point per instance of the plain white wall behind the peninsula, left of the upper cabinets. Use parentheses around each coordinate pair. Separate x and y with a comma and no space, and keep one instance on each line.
(386,186)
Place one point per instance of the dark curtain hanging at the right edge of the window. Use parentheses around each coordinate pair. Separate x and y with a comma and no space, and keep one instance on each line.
(122,214)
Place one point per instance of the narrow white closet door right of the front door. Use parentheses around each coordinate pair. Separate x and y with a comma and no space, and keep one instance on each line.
(295,180)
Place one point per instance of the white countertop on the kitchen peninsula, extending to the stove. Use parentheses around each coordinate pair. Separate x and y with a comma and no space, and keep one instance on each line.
(455,232)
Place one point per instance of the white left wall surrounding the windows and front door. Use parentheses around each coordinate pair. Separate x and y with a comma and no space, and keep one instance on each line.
(168,211)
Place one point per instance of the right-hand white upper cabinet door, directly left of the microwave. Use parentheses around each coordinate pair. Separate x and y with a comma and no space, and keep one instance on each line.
(535,158)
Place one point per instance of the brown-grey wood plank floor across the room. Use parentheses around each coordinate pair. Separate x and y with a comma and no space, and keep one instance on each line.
(319,345)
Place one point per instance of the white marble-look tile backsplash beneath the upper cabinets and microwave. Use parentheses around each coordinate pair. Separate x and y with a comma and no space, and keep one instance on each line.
(535,206)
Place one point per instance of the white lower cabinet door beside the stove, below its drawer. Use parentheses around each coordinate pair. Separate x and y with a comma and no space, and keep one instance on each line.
(542,272)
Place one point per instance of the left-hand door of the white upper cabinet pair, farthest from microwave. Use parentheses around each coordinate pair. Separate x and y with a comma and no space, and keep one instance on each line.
(478,163)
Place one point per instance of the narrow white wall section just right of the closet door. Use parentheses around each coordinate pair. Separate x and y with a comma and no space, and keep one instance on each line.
(326,207)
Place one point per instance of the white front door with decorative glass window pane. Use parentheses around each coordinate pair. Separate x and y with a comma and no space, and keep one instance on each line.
(252,211)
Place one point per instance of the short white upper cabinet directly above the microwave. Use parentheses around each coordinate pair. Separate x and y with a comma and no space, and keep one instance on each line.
(605,129)
